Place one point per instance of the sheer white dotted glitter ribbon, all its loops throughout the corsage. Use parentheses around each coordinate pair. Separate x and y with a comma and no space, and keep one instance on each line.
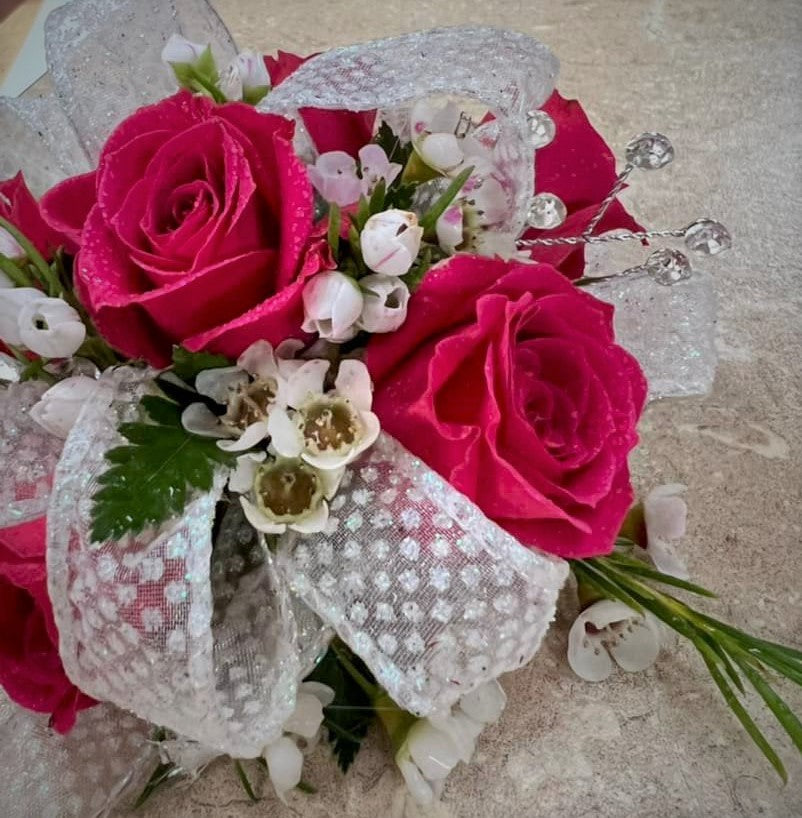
(212,642)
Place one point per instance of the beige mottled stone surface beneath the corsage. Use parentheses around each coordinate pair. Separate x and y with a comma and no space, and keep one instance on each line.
(722,79)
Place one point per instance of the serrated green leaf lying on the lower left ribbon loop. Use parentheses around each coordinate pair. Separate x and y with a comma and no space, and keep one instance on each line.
(150,479)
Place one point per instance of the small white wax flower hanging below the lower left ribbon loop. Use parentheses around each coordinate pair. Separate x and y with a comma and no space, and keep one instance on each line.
(284,757)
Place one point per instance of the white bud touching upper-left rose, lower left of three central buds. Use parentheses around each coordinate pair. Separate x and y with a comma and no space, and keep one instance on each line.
(332,306)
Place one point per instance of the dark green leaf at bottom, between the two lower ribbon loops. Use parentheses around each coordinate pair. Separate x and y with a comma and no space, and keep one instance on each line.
(349,716)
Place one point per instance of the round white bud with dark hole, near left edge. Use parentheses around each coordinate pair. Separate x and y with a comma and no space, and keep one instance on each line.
(50,327)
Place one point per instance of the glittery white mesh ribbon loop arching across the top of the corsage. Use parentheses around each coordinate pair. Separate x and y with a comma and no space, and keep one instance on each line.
(508,72)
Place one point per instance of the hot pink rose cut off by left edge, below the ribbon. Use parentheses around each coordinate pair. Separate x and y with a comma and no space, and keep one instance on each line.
(30,667)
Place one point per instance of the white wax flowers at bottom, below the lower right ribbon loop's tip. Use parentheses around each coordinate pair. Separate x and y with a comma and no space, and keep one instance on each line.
(435,745)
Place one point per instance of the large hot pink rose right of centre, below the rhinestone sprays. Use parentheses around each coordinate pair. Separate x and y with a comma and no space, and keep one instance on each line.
(506,379)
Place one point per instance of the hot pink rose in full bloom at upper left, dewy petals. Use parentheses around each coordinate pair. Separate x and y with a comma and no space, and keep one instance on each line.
(196,228)
